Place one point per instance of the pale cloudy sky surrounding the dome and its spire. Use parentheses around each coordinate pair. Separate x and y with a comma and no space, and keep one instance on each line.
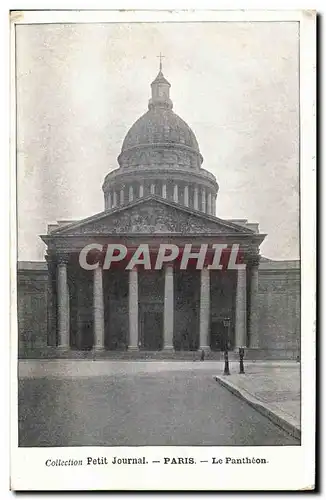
(80,87)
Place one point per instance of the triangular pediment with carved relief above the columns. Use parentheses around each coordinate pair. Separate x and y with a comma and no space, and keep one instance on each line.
(149,216)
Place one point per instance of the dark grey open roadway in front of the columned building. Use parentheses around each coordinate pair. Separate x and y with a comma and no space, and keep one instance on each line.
(119,403)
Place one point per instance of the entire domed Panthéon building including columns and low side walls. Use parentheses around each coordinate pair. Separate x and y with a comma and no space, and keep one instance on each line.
(159,194)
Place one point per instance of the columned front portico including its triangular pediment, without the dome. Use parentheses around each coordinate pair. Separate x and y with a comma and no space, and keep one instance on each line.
(138,309)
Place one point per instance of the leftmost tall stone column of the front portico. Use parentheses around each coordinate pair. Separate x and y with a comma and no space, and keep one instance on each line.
(63,303)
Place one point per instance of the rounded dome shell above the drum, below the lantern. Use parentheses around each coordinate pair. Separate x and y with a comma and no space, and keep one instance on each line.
(160,126)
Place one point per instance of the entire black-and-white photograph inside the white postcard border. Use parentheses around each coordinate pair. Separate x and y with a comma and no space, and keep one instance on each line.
(158,272)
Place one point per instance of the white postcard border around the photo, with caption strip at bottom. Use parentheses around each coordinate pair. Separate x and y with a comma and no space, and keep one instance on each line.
(289,467)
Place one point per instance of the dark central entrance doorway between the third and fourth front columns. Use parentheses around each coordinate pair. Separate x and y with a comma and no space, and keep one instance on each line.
(151,337)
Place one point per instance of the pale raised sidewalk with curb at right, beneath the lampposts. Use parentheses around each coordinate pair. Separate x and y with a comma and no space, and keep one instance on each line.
(273,390)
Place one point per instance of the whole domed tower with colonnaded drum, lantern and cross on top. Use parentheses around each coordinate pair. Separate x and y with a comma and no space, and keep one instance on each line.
(160,157)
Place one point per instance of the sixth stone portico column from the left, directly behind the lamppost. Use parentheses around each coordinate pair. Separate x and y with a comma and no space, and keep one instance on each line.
(241,310)
